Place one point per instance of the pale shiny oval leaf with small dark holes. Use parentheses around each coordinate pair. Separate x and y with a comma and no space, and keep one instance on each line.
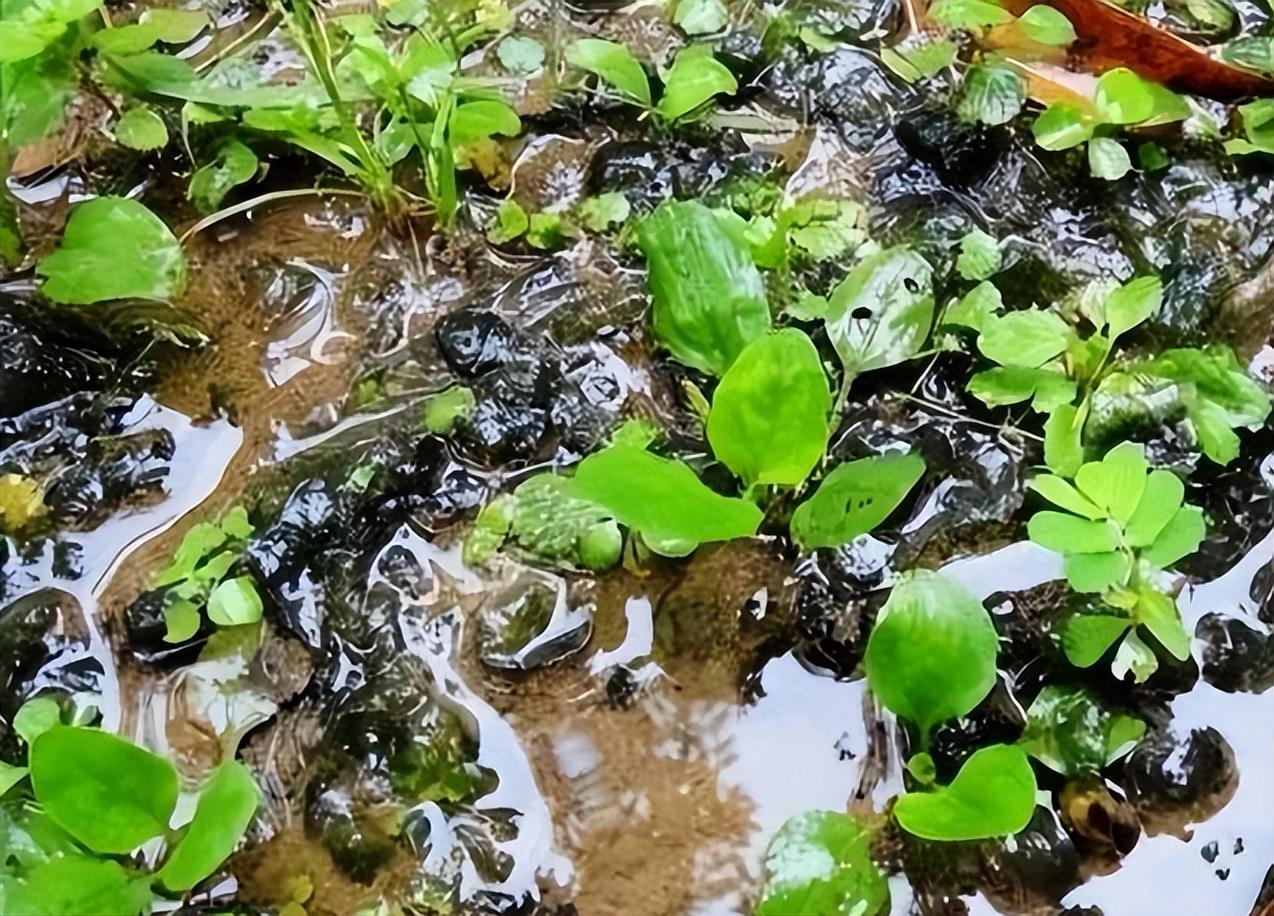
(881,314)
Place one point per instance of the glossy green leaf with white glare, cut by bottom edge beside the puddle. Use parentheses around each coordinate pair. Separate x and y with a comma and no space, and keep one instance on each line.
(820,863)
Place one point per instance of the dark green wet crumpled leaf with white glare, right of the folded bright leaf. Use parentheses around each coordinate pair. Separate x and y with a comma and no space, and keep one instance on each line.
(1070,732)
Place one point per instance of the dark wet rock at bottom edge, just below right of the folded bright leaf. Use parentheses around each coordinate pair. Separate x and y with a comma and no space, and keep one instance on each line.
(1035,869)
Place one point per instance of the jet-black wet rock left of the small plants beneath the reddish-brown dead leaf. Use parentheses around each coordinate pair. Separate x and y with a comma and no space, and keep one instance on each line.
(960,152)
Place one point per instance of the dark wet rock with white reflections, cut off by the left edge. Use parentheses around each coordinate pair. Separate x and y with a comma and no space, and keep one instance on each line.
(47,647)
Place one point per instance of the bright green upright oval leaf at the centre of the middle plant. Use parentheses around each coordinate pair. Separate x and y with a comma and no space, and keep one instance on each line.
(769,421)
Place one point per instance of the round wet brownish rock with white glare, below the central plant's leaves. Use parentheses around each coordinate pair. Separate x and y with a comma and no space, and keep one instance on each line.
(532,624)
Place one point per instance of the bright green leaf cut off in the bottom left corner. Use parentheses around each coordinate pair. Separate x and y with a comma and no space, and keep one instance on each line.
(73,886)
